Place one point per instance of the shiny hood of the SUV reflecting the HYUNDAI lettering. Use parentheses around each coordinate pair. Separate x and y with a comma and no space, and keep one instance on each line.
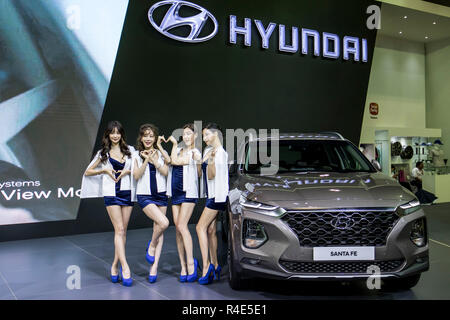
(325,190)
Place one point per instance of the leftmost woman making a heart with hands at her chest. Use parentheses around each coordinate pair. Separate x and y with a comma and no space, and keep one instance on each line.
(108,176)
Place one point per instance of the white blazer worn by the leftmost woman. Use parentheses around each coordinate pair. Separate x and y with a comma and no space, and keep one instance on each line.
(102,185)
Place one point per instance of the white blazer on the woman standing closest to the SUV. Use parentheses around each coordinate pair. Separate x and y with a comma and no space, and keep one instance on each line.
(217,187)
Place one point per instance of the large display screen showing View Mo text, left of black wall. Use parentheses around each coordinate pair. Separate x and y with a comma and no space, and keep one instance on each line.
(56,62)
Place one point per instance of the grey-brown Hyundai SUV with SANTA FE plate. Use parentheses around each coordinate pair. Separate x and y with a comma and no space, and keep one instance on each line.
(327,213)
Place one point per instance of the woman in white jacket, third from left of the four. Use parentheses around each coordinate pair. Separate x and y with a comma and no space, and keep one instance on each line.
(182,187)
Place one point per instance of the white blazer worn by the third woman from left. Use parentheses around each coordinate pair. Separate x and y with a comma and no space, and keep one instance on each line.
(190,176)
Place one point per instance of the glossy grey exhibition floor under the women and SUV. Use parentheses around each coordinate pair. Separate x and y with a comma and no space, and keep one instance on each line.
(40,269)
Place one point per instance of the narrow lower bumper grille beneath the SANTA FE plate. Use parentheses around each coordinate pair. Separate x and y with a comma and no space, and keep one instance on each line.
(341,267)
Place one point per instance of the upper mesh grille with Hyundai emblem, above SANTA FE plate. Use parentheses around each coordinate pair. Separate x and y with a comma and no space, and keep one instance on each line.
(341,228)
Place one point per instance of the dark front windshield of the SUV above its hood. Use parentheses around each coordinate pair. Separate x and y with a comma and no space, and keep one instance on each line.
(307,156)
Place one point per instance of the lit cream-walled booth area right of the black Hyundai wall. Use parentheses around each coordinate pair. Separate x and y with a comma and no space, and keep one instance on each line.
(407,110)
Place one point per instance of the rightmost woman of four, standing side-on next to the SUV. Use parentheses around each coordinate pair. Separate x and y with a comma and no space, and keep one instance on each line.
(215,187)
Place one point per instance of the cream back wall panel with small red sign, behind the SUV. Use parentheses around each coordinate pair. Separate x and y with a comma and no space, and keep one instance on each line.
(397,84)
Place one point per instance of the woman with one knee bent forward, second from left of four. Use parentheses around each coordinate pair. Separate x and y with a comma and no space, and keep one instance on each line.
(150,170)
